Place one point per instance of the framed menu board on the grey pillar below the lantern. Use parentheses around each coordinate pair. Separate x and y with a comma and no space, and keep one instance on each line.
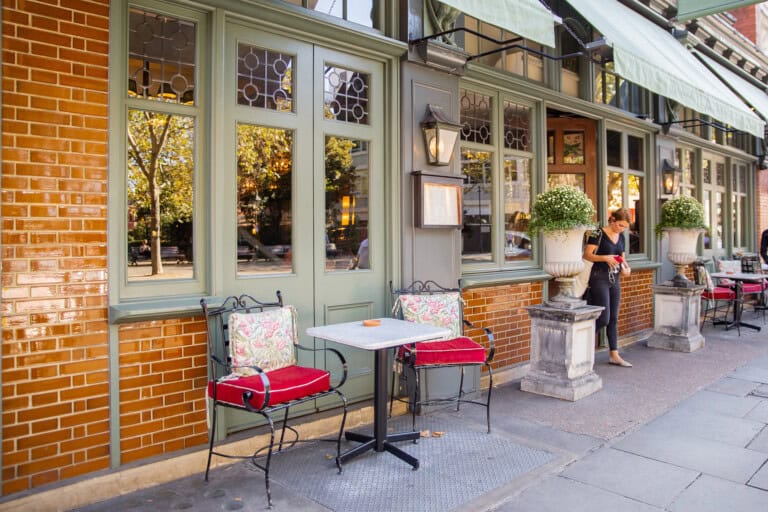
(437,200)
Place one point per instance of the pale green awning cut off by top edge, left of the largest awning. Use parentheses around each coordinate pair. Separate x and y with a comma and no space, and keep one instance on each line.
(526,18)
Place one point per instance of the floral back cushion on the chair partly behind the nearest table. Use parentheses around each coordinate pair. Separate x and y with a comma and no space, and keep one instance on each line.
(441,310)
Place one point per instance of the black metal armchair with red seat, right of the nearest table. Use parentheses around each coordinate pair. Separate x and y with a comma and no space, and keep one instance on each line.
(427,302)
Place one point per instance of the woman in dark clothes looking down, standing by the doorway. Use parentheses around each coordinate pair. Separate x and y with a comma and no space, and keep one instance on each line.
(605,248)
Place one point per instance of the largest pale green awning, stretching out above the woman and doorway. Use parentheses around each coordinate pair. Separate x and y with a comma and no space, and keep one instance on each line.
(647,55)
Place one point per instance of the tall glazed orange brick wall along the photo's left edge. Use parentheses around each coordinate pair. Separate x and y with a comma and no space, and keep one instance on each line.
(54,241)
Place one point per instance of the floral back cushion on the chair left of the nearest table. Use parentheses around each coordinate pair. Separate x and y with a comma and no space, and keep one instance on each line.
(264,339)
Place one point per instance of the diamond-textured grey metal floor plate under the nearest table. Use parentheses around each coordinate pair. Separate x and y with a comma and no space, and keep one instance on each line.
(454,468)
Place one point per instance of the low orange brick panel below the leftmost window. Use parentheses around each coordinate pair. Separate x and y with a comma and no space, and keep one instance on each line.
(162,387)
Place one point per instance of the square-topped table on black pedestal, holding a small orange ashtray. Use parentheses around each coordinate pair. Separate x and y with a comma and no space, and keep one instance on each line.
(389,333)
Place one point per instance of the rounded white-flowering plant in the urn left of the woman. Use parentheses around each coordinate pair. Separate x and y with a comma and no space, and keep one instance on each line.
(561,208)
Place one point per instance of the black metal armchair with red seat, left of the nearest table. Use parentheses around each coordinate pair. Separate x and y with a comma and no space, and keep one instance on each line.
(253,367)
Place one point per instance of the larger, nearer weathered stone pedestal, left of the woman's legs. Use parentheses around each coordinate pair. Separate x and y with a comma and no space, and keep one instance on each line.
(562,352)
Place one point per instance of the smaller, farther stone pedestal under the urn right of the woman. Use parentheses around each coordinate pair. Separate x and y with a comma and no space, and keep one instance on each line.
(676,318)
